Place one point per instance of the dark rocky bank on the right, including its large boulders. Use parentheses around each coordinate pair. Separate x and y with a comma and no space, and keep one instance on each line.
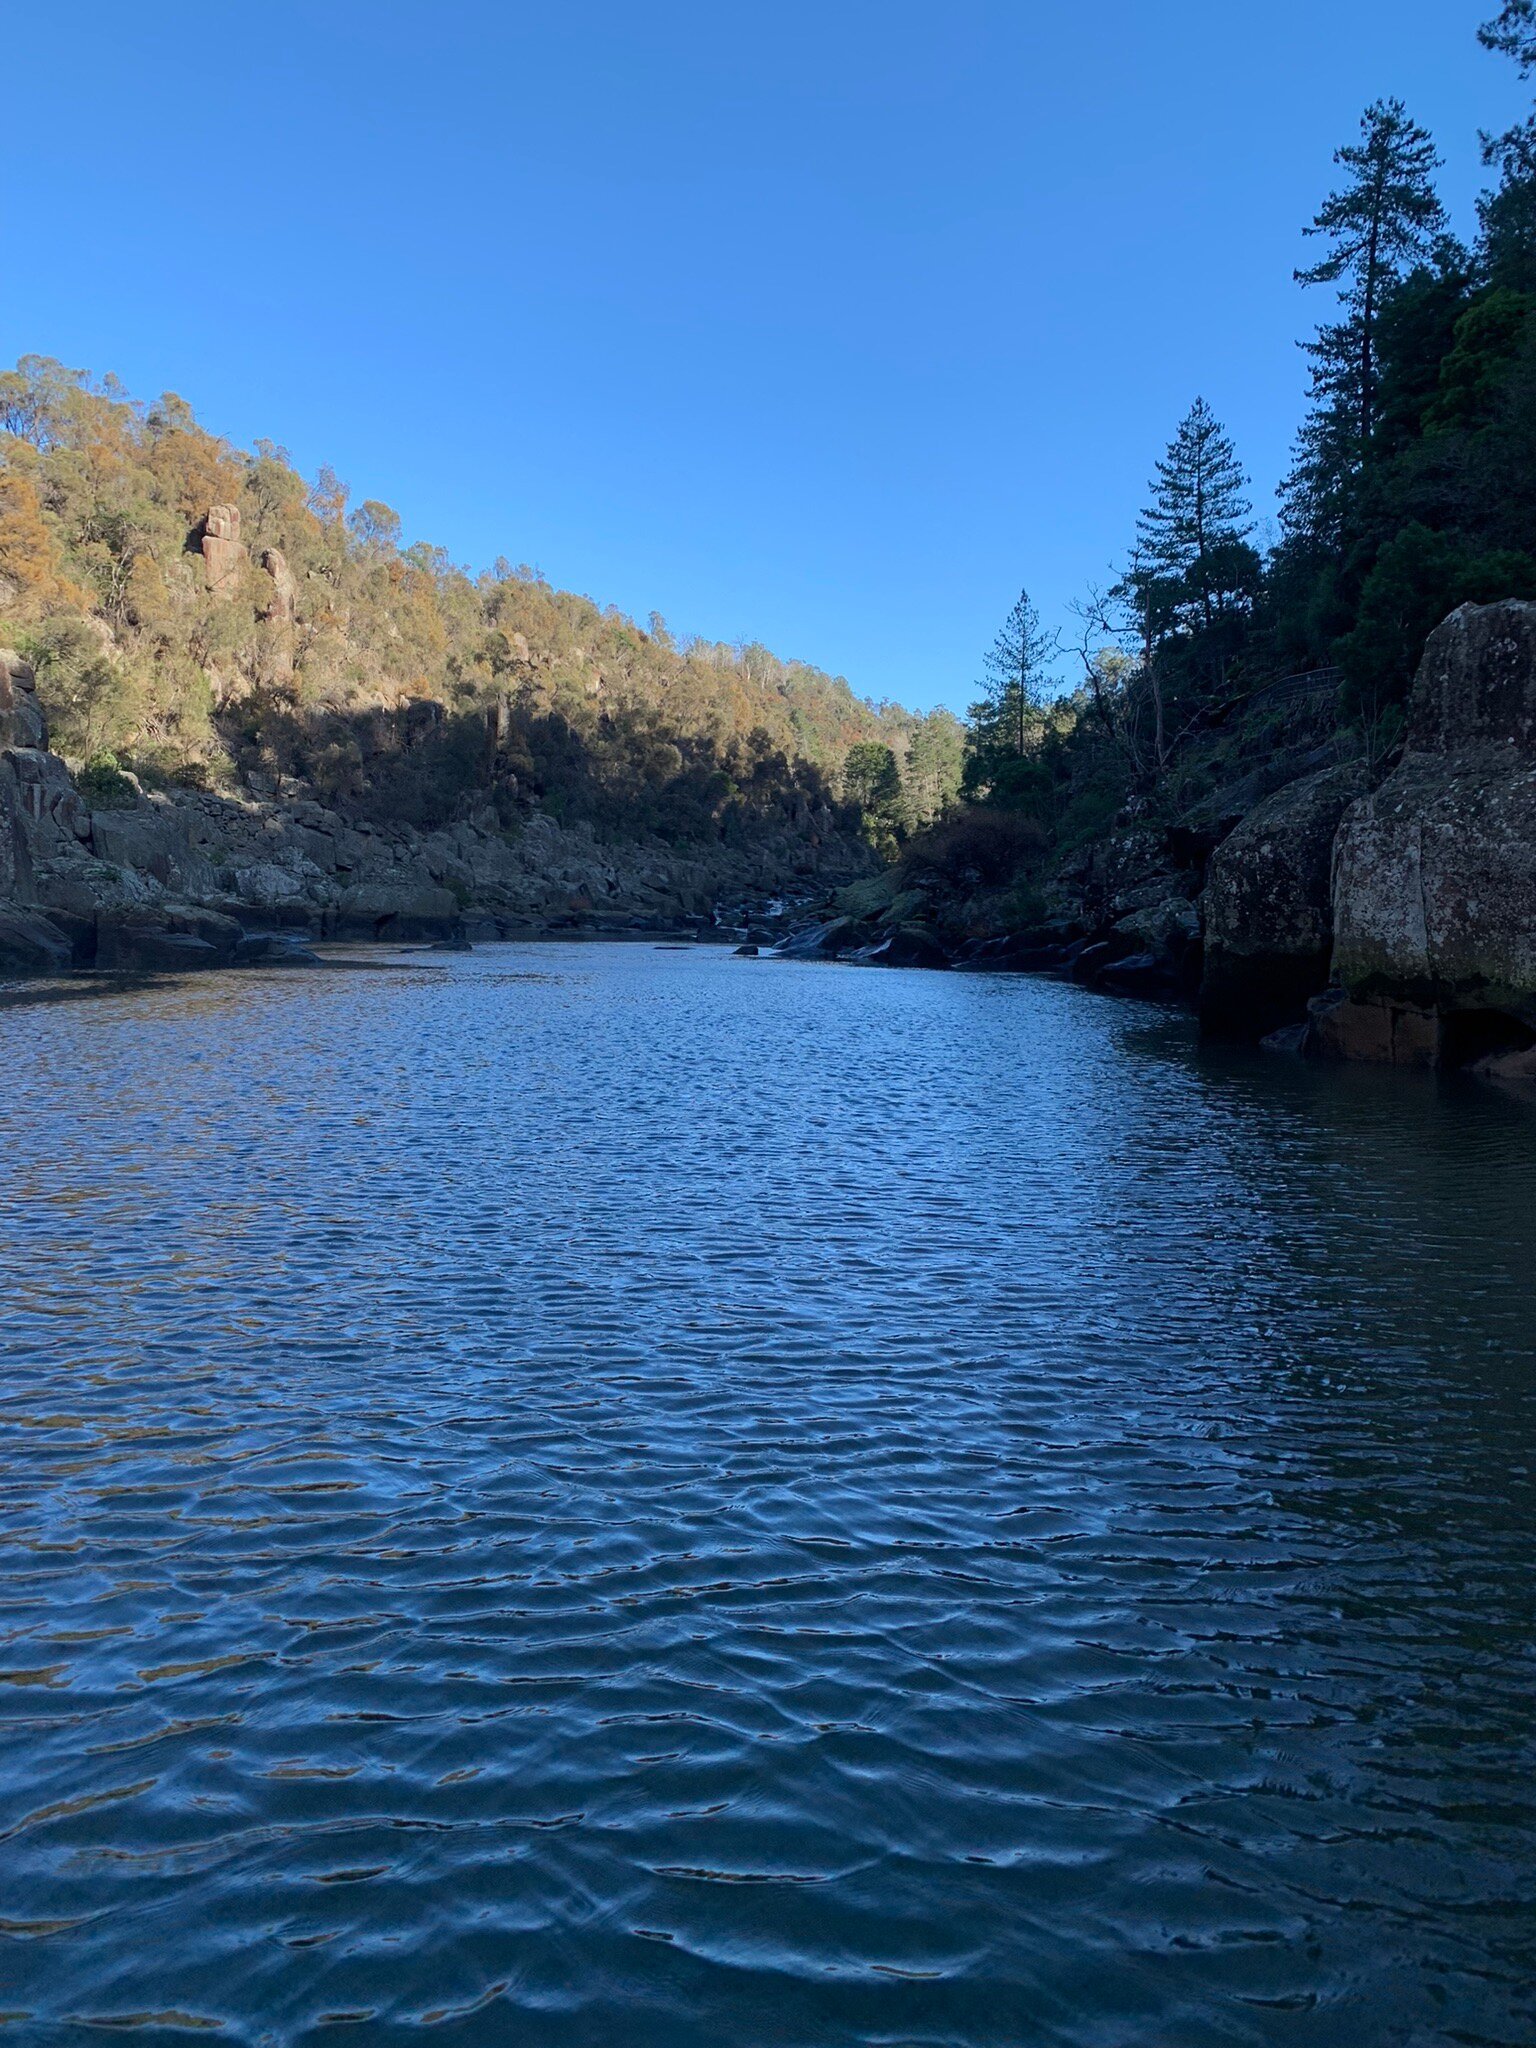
(1381,919)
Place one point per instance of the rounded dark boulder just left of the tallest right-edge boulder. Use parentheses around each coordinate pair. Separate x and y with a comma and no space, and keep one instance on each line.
(1269,908)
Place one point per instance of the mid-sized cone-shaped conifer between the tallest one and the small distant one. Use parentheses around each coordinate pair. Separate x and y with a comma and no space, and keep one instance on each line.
(1199,517)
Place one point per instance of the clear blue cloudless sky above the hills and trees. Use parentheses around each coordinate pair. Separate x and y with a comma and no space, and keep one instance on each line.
(820,325)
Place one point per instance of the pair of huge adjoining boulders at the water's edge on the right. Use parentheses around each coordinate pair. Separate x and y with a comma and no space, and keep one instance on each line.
(1398,921)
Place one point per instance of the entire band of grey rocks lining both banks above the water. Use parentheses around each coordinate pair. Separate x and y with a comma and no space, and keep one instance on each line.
(1388,921)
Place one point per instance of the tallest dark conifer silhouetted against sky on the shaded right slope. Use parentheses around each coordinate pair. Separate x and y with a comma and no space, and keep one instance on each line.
(1381,222)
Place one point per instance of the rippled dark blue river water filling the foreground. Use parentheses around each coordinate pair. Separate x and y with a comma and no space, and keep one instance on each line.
(622,1496)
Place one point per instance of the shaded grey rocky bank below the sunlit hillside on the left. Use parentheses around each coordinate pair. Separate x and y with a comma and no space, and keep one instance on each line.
(122,878)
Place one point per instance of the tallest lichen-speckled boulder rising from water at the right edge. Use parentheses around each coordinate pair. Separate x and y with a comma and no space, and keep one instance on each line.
(1435,876)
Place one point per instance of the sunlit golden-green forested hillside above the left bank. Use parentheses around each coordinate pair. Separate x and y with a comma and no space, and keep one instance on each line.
(204,615)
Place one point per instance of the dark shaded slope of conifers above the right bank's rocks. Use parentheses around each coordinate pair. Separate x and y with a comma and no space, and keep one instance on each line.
(1207,671)
